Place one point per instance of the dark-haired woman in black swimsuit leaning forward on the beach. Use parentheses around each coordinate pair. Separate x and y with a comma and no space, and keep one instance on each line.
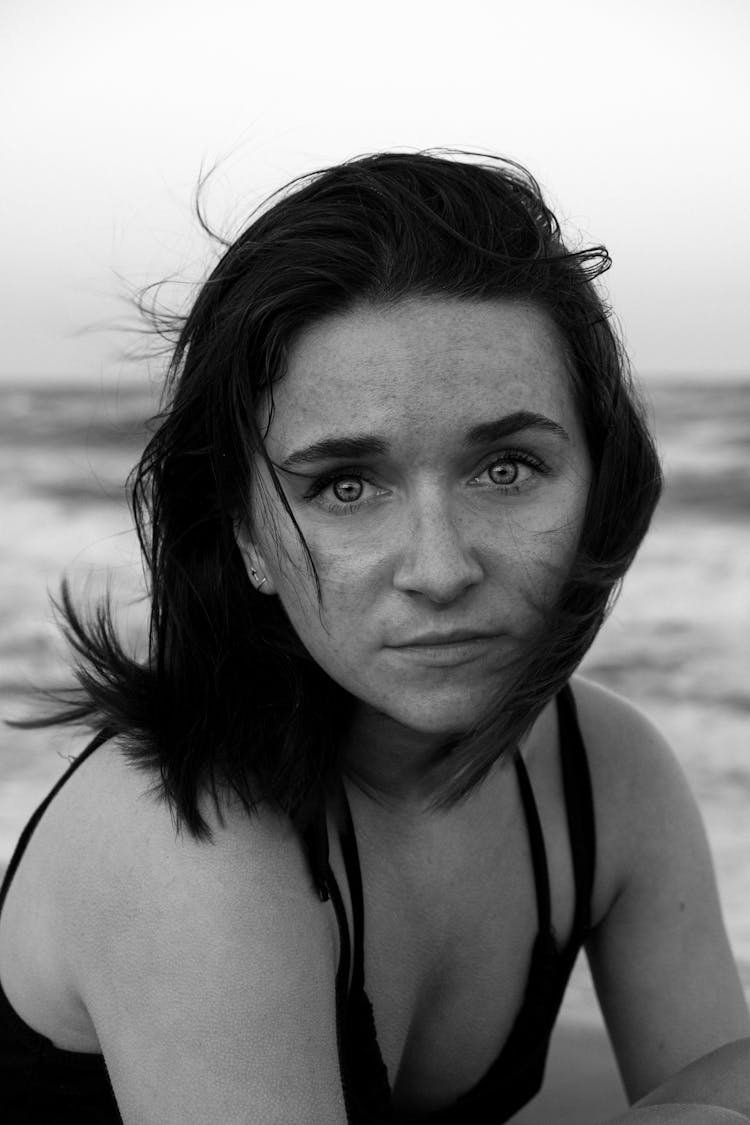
(339,841)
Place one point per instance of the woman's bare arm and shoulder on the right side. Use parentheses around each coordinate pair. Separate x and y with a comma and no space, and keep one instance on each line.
(661,958)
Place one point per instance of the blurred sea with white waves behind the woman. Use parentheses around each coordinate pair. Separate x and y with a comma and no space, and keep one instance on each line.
(677,643)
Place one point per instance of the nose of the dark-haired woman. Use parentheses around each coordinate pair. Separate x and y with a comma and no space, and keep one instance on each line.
(436,559)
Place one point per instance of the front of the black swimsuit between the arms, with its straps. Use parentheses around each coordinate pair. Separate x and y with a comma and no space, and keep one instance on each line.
(517,1074)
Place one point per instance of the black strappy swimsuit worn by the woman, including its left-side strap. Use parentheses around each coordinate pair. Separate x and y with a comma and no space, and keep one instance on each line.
(41,1083)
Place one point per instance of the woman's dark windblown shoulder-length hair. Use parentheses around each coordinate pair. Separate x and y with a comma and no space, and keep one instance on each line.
(228,695)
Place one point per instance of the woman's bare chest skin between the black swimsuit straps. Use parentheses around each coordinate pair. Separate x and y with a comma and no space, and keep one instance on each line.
(449,934)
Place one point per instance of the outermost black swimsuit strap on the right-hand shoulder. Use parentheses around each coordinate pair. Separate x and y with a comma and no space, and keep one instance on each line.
(580,807)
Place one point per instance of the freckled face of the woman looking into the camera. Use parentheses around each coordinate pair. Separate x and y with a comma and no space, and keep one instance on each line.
(436,464)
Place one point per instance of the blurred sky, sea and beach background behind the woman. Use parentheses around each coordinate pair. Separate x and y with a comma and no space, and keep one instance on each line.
(632,114)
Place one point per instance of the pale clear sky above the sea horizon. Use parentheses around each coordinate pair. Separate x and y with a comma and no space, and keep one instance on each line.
(632,115)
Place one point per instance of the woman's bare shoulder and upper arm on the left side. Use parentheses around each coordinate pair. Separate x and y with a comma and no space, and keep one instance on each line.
(207,968)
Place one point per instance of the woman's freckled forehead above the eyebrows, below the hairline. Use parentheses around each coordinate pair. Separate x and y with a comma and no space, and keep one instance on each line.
(423,367)
